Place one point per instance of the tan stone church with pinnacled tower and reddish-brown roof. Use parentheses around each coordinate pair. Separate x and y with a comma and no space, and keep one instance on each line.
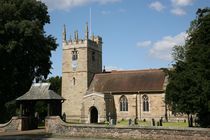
(94,95)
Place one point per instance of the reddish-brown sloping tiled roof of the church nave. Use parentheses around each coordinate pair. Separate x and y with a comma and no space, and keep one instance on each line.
(151,80)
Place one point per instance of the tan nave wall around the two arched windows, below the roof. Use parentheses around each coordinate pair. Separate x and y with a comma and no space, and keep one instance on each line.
(156,106)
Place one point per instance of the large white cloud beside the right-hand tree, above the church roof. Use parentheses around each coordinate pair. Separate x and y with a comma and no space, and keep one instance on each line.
(162,49)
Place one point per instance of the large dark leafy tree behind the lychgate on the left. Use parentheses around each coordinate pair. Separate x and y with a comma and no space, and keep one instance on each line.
(25,49)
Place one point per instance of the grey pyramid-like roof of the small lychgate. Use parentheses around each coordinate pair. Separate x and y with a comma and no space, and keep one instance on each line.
(40,91)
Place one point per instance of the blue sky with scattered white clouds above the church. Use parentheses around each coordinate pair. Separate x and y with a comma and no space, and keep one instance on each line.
(136,34)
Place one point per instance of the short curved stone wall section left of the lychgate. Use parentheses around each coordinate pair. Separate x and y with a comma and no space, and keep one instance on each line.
(15,124)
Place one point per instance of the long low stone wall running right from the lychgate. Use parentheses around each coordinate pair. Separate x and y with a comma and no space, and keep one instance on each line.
(56,126)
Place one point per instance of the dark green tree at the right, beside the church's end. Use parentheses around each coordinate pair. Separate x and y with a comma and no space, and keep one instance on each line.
(188,90)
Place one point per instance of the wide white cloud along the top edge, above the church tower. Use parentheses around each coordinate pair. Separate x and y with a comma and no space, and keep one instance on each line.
(69,4)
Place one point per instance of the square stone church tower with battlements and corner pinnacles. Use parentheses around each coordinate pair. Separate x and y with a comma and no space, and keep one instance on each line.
(82,59)
